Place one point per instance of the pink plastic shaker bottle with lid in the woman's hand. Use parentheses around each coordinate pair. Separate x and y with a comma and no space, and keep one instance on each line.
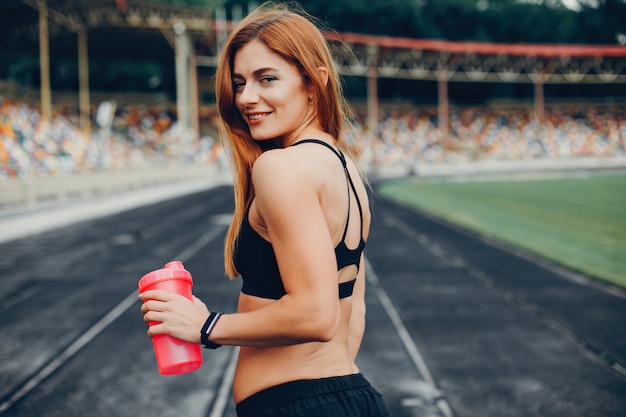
(173,355)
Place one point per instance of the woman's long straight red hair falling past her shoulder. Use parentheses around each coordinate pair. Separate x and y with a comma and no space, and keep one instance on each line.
(293,36)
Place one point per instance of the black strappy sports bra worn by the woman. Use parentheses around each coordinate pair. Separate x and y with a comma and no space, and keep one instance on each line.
(256,262)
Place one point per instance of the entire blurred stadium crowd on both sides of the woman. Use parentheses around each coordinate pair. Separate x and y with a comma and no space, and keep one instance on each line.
(141,136)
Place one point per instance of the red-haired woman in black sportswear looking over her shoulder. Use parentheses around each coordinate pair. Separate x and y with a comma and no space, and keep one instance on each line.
(300,224)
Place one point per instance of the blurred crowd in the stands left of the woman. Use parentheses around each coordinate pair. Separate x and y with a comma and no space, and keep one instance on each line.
(133,137)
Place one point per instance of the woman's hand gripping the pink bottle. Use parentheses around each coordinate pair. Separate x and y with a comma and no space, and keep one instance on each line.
(173,315)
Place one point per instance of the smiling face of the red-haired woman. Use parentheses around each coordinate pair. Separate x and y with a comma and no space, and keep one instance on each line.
(270,94)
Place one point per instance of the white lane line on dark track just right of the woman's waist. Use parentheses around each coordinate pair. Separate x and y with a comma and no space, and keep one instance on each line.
(407,341)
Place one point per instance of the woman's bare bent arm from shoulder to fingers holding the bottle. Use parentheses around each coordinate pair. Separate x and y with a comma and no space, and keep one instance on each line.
(288,203)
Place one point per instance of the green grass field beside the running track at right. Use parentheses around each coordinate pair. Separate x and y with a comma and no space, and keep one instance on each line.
(578,222)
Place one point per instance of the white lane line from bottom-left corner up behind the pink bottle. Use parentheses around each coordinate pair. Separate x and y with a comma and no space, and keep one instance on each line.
(97,328)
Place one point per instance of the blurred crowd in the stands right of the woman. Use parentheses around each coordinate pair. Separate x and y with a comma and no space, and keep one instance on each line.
(412,136)
